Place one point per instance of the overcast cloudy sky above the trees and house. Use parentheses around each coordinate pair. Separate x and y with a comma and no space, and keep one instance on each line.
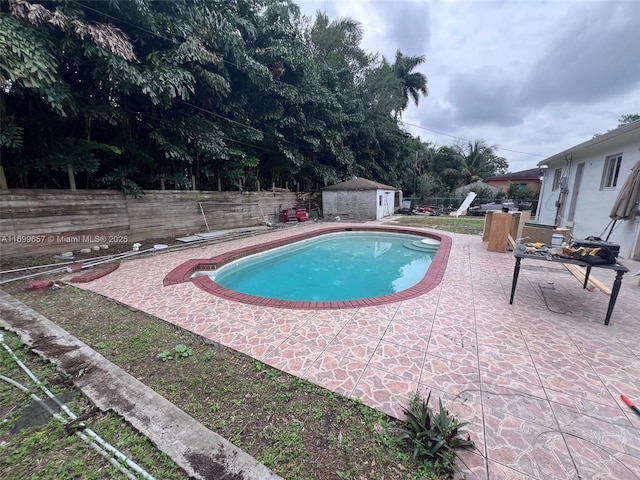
(528,76)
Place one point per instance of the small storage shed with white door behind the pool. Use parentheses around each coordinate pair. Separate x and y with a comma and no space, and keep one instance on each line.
(360,199)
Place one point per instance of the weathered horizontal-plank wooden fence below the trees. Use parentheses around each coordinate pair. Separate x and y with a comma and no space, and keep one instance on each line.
(51,221)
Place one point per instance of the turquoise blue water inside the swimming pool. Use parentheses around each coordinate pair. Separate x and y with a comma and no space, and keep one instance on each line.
(332,267)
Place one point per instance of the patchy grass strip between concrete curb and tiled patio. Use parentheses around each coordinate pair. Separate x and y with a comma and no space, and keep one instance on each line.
(298,429)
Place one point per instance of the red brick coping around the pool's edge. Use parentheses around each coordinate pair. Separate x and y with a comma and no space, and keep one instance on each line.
(183,273)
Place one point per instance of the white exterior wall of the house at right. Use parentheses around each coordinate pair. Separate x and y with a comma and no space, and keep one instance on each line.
(593,204)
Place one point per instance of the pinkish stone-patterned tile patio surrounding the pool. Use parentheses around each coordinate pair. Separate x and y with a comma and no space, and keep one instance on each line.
(539,380)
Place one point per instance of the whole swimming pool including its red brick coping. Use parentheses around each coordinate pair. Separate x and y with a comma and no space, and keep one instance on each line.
(210,273)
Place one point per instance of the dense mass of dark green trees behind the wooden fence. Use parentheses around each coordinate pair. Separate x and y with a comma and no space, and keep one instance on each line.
(208,94)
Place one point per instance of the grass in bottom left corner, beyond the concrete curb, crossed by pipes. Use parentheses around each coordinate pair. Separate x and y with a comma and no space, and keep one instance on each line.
(35,445)
